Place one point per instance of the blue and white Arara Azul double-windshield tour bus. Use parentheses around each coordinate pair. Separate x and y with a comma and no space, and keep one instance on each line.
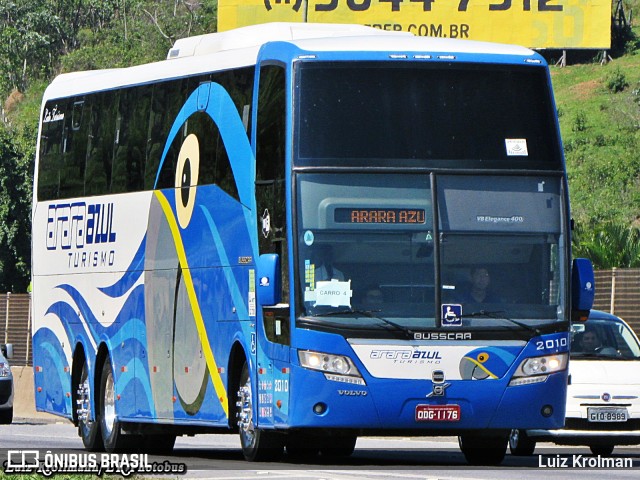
(304,234)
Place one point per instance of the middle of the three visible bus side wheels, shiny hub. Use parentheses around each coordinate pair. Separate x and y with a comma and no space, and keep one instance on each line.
(114,440)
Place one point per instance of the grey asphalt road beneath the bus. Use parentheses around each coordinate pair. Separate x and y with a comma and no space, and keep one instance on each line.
(219,457)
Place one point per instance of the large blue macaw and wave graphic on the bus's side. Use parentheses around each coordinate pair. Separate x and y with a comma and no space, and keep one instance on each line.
(205,281)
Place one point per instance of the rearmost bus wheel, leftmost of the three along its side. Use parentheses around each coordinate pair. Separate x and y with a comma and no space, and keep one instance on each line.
(88,430)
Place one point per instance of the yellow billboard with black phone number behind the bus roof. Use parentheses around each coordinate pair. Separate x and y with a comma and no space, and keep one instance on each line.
(566,24)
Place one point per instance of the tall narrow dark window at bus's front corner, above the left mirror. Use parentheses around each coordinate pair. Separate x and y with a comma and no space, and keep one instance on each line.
(270,168)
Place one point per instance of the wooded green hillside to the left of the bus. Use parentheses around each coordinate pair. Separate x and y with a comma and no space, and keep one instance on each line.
(42,38)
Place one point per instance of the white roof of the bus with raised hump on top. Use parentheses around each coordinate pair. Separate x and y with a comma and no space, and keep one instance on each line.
(239,48)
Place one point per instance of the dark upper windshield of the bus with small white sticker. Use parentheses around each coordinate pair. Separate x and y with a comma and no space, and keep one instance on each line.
(474,116)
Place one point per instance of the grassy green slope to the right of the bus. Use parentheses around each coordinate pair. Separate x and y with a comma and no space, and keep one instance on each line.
(599,111)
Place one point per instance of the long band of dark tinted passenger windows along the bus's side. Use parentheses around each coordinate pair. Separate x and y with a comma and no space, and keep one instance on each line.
(113,141)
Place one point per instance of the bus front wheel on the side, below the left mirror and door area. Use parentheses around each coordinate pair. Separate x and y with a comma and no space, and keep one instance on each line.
(257,445)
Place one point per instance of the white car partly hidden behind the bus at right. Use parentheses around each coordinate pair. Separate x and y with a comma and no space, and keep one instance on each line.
(603,400)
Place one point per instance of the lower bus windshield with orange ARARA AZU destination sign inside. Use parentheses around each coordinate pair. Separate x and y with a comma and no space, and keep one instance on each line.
(369,252)
